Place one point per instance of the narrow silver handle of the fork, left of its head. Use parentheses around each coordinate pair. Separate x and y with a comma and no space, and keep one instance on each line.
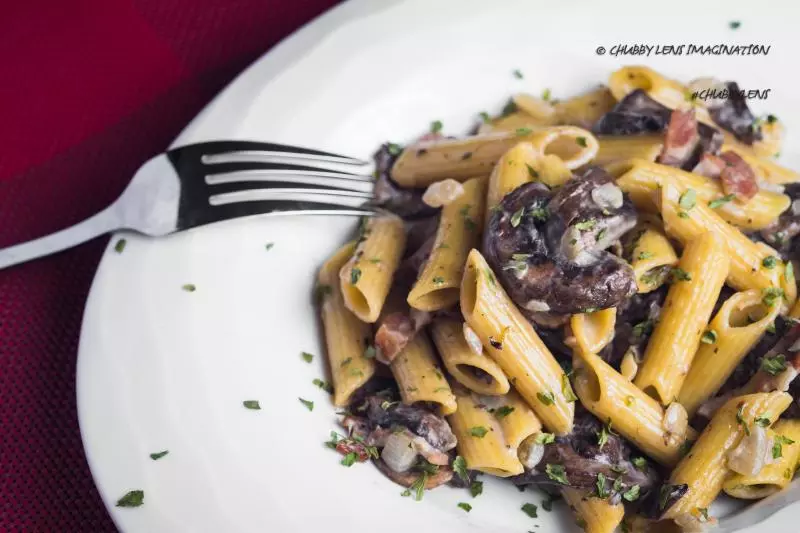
(103,222)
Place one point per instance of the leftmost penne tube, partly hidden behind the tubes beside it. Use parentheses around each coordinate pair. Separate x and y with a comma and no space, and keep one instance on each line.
(345,335)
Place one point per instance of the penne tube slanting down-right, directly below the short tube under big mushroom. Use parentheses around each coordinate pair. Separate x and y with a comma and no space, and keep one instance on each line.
(633,414)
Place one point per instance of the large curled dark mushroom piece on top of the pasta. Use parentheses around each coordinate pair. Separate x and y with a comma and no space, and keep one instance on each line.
(549,249)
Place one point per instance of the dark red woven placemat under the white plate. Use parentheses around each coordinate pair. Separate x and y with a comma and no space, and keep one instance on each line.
(90,89)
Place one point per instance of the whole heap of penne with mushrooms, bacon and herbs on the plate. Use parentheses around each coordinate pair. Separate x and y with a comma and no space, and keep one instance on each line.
(592,296)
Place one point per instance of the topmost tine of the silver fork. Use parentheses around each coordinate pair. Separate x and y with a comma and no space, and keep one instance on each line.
(216,152)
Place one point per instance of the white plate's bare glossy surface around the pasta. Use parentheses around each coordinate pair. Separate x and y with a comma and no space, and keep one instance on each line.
(160,368)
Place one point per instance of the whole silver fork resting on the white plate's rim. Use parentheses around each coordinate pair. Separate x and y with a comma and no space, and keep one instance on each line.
(210,182)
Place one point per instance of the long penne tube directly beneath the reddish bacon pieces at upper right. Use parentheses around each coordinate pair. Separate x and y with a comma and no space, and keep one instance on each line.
(643,179)
